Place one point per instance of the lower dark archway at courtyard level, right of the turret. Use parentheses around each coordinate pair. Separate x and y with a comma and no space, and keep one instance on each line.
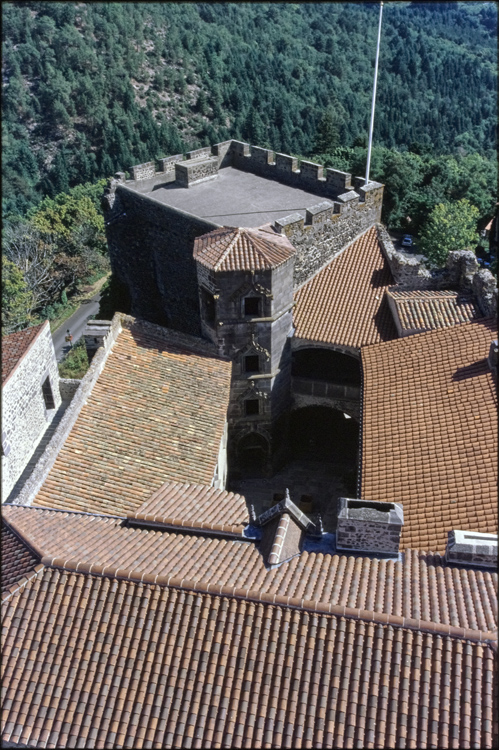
(322,433)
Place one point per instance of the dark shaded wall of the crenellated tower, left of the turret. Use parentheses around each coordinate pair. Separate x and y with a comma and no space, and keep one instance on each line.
(150,247)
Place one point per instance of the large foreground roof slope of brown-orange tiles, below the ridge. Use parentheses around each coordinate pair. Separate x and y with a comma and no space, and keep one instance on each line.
(99,662)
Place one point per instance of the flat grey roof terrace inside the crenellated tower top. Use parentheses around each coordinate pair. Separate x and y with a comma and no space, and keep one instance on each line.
(232,198)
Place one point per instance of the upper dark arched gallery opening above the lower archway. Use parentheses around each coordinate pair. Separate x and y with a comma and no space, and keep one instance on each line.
(326,364)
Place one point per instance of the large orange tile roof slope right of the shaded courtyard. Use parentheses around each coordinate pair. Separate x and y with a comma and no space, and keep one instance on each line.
(429,435)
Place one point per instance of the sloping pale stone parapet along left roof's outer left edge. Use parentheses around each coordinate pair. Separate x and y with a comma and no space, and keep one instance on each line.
(81,394)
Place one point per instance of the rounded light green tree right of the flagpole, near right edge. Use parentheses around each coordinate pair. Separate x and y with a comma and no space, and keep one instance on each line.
(450,226)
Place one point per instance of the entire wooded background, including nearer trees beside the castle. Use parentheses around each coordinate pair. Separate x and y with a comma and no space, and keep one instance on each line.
(93,88)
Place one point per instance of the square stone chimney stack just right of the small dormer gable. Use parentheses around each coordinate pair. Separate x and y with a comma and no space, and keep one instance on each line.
(369,526)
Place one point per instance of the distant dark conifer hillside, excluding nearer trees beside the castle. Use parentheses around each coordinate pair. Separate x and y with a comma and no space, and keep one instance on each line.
(90,88)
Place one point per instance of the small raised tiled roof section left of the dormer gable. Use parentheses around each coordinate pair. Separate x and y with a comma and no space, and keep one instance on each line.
(194,506)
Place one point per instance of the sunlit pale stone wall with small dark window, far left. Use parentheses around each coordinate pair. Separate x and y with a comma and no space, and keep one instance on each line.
(24,414)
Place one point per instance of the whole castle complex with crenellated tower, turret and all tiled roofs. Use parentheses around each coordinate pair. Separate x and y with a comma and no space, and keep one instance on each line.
(144,602)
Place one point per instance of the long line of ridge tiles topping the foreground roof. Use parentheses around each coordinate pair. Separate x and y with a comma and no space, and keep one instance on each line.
(202,587)
